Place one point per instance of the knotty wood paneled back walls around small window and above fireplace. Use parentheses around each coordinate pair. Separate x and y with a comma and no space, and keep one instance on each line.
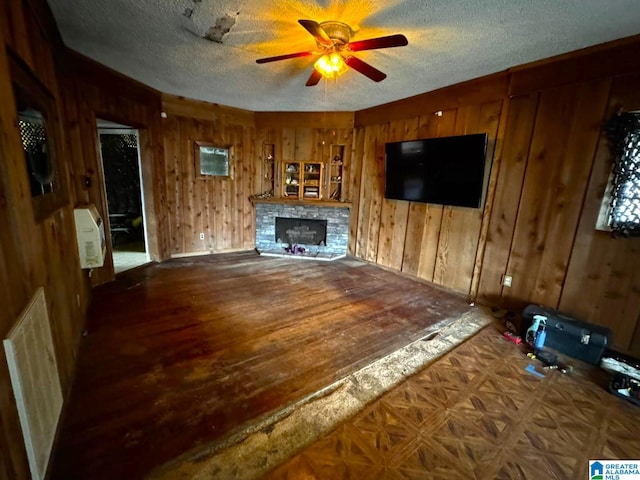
(221,208)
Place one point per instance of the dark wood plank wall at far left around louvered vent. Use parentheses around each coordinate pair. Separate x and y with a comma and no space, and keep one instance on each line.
(33,253)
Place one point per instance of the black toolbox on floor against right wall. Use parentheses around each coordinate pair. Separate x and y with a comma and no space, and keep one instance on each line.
(571,336)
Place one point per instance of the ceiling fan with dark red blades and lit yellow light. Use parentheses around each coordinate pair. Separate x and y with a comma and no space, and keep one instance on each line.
(335,47)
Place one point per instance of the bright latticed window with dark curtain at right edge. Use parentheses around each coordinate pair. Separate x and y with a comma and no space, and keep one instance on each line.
(620,211)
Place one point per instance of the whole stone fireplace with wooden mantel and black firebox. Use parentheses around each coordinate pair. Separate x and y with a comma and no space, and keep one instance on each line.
(321,229)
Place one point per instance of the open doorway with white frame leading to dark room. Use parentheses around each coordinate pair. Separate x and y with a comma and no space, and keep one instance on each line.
(120,154)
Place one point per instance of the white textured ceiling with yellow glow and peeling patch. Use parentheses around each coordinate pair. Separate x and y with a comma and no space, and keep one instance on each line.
(157,43)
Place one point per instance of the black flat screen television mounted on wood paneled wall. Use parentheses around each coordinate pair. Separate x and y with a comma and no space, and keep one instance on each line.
(445,170)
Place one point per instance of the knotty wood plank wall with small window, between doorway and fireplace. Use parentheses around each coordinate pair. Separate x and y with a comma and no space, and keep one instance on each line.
(219,208)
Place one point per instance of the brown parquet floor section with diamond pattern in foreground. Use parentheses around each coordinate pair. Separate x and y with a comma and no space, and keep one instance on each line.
(477,414)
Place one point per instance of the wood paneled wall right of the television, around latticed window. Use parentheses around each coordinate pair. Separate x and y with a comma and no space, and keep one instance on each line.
(554,170)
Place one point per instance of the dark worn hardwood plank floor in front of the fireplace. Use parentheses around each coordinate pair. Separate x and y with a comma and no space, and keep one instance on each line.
(183,353)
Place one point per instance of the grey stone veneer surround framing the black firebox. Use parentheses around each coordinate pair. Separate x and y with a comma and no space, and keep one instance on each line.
(337,218)
